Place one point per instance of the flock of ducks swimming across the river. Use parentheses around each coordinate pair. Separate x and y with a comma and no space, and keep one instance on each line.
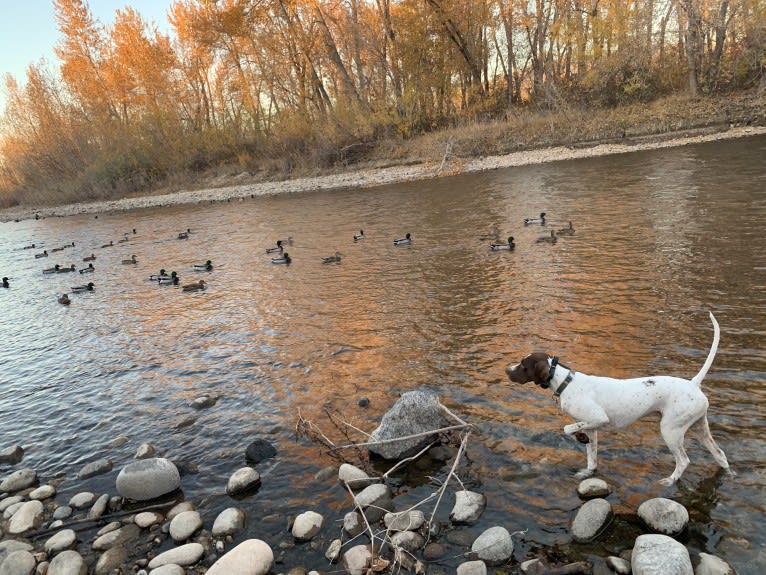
(278,253)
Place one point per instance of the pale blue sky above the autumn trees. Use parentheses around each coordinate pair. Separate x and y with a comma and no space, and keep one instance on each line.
(28,30)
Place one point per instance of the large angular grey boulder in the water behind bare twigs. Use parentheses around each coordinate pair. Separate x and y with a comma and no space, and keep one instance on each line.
(415,412)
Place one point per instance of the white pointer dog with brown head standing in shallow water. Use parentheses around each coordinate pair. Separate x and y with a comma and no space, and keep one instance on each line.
(604,403)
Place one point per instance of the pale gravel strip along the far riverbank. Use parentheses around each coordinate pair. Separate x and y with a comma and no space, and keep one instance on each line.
(369,178)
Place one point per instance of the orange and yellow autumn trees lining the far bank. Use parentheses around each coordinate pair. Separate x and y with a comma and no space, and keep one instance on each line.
(285,81)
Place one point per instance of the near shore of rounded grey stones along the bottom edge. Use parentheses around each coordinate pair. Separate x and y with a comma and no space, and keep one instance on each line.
(145,526)
